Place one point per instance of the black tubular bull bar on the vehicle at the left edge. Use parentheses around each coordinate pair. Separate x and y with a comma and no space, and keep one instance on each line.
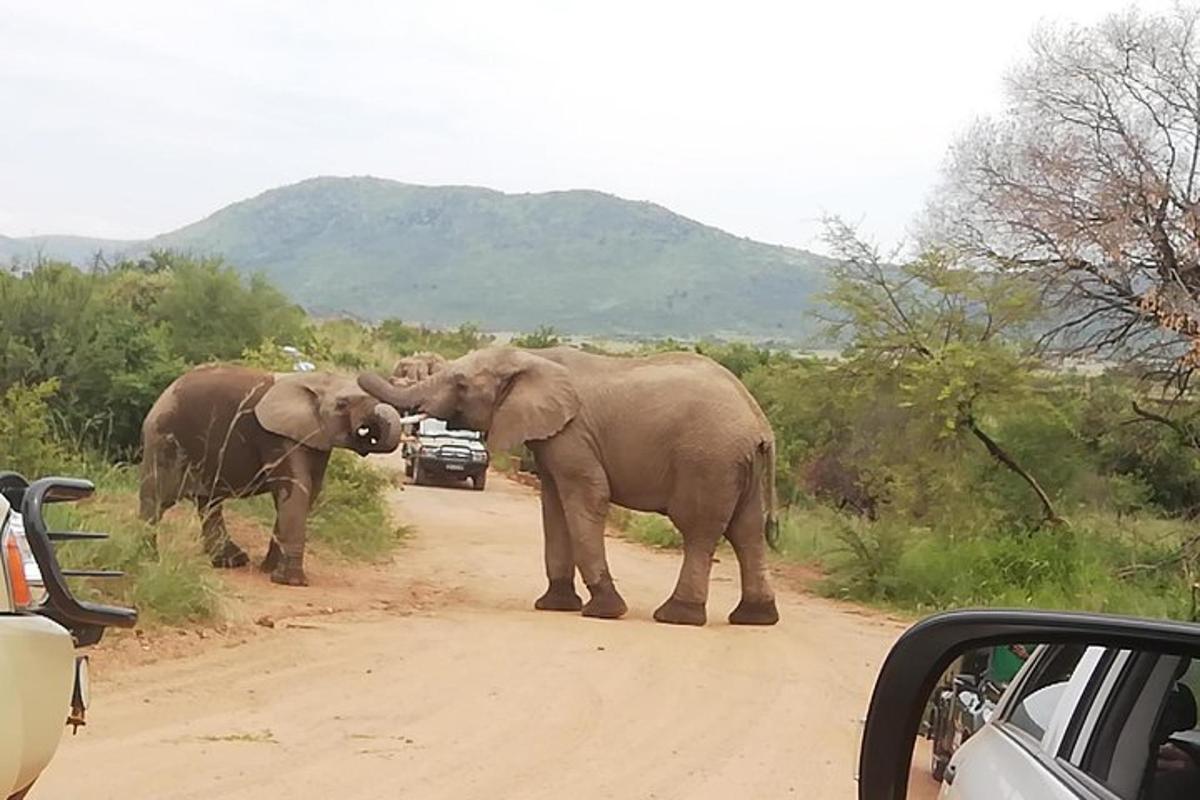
(87,622)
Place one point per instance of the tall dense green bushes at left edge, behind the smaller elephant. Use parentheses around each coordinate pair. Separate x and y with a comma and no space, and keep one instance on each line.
(116,339)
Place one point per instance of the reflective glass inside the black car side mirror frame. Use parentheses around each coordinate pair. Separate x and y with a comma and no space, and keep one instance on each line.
(1023,720)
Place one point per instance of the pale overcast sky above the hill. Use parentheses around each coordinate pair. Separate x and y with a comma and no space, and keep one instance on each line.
(131,119)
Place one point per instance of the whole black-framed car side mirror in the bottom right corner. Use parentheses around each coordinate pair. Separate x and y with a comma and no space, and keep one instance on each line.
(1101,696)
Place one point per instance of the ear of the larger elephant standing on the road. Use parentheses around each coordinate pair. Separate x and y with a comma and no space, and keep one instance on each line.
(536,402)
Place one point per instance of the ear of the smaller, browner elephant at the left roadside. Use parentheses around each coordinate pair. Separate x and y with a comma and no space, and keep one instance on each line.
(296,407)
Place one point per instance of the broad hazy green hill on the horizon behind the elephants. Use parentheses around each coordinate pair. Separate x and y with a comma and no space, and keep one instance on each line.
(584,262)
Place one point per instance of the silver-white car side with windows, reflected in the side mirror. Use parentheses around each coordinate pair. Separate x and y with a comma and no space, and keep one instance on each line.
(1099,733)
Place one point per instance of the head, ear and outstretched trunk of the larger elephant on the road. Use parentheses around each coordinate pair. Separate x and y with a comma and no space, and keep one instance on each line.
(511,395)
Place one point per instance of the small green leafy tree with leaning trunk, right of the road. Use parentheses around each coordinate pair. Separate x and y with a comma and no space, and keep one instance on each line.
(951,336)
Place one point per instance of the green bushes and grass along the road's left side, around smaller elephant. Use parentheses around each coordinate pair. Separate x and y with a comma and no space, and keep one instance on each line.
(83,356)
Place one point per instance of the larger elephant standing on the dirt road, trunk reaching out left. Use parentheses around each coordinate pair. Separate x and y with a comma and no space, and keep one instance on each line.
(673,434)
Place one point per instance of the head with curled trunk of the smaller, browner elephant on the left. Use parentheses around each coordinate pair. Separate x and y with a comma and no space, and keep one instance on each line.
(323,411)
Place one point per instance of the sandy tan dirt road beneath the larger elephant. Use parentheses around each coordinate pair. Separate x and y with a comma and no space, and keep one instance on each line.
(454,688)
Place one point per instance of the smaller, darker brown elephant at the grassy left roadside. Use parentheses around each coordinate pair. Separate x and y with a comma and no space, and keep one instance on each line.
(221,432)
